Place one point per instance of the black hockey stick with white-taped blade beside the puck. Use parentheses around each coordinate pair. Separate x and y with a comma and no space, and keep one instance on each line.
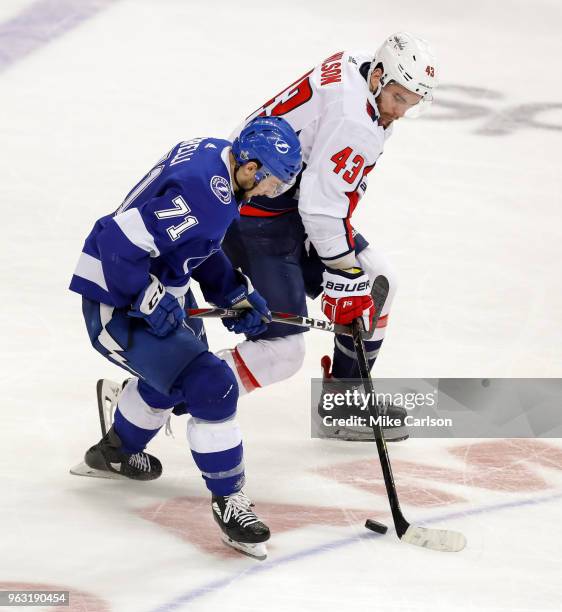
(435,539)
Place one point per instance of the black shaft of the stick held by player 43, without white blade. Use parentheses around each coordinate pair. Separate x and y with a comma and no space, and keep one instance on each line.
(400,523)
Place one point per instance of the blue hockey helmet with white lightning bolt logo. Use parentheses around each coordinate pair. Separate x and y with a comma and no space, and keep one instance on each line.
(273,143)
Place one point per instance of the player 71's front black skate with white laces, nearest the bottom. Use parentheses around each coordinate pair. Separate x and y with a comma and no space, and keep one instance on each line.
(240,527)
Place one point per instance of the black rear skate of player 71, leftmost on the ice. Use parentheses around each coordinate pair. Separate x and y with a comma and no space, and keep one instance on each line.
(106,460)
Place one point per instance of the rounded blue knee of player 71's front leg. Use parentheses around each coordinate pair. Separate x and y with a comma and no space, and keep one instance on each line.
(209,388)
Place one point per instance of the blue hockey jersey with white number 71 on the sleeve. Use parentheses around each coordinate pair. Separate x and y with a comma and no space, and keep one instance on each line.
(172,222)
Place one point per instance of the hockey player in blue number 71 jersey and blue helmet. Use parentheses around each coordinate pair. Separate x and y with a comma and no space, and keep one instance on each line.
(134,274)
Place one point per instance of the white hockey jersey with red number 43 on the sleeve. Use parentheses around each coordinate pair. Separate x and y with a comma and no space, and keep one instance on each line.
(336,118)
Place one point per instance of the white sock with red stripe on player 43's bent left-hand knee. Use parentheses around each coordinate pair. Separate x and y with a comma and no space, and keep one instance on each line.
(258,363)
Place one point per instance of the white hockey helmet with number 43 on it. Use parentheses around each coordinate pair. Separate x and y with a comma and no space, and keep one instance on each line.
(409,61)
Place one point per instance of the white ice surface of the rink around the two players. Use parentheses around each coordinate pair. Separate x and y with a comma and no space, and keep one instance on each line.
(470,218)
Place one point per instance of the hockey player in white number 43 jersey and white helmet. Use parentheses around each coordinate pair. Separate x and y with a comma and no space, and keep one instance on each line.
(303,241)
